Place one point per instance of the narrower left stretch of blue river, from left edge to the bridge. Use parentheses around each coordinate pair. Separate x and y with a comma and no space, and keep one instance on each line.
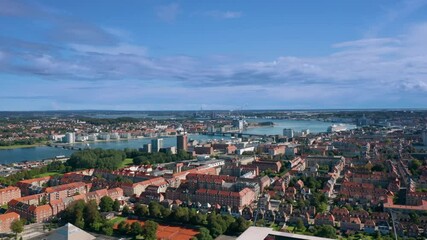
(40,153)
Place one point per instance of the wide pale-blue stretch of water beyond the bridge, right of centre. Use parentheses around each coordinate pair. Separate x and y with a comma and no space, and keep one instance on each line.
(297,125)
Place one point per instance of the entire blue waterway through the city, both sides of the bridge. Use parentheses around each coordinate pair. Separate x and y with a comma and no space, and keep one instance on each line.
(39,153)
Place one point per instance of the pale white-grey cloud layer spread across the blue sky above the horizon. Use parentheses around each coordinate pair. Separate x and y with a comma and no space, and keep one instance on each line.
(87,59)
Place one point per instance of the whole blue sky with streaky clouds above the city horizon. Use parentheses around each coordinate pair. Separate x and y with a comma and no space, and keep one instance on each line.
(223,54)
